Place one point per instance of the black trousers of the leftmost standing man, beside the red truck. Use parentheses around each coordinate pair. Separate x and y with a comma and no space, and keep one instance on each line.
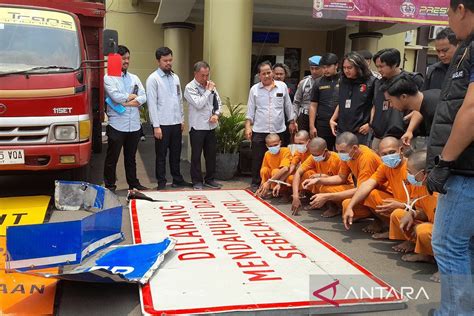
(129,142)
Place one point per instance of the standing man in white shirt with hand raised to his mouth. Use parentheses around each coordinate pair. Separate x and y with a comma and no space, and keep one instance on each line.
(204,110)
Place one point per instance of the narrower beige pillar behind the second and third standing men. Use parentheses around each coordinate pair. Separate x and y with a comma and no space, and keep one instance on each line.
(177,36)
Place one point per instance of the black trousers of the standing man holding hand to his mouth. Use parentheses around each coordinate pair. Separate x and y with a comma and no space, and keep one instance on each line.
(203,141)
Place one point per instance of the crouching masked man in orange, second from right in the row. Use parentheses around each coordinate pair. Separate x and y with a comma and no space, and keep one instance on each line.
(392,172)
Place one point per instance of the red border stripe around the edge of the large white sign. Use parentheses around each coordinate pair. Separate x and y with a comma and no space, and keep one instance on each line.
(148,300)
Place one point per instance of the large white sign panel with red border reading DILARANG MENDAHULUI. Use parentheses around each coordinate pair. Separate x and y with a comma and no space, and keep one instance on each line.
(235,252)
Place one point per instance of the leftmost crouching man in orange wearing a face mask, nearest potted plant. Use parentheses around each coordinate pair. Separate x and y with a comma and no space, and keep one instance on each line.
(275,165)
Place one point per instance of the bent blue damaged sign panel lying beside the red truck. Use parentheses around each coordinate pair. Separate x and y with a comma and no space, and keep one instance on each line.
(67,242)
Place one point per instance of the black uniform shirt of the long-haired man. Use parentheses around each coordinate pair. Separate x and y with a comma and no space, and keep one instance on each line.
(355,103)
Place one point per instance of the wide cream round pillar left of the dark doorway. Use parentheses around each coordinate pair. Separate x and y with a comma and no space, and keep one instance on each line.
(228,46)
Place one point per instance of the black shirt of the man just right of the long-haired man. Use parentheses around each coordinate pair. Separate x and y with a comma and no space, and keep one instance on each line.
(387,120)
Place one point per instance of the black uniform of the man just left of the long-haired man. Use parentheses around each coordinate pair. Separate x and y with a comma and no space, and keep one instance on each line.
(326,93)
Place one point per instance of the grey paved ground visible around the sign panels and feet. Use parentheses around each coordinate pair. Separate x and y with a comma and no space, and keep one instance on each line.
(95,299)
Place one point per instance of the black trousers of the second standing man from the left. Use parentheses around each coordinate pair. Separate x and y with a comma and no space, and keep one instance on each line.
(172,137)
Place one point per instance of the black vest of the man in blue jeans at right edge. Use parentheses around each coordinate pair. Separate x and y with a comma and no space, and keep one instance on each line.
(452,96)
